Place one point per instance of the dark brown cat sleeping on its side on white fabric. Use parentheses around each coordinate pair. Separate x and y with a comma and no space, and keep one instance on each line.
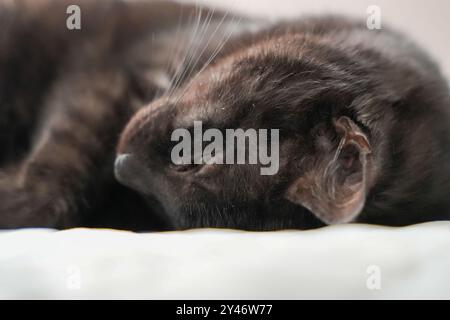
(363,118)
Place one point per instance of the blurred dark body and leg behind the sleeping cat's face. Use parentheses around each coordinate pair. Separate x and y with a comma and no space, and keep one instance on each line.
(81,87)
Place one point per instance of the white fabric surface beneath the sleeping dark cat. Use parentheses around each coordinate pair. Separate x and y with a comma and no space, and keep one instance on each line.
(329,263)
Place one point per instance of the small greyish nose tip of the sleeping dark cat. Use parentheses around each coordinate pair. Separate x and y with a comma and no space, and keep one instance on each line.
(129,171)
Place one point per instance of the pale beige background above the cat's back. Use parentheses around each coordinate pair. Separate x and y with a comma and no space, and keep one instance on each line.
(426,21)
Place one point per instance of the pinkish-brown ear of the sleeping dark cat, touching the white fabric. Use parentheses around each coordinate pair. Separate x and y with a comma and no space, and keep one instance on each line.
(334,186)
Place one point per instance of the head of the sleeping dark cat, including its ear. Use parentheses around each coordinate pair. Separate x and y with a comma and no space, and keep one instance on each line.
(321,161)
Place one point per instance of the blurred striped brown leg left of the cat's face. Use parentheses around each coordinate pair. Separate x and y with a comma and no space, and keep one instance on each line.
(72,154)
